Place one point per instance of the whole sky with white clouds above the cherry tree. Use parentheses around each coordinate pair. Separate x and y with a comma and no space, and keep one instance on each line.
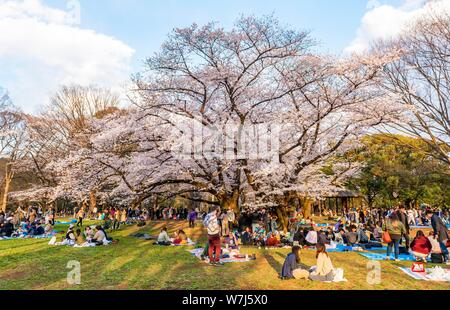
(43,47)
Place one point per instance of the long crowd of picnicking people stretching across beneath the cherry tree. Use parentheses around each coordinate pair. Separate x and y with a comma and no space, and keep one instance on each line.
(361,227)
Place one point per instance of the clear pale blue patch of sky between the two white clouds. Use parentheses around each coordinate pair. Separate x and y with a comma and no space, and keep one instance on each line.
(144,24)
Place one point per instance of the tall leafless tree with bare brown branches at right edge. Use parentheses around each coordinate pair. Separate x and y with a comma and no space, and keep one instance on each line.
(421,80)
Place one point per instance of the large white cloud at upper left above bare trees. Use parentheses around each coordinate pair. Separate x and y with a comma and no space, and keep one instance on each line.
(42,47)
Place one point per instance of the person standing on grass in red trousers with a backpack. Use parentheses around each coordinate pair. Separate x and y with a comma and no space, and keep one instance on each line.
(212,225)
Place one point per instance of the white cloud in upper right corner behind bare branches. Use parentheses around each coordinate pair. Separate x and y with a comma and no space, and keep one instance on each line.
(383,21)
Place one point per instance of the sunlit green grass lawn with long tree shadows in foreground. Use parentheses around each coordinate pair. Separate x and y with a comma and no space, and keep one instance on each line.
(137,264)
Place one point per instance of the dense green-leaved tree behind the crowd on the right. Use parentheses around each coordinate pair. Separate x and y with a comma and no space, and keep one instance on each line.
(401,165)
